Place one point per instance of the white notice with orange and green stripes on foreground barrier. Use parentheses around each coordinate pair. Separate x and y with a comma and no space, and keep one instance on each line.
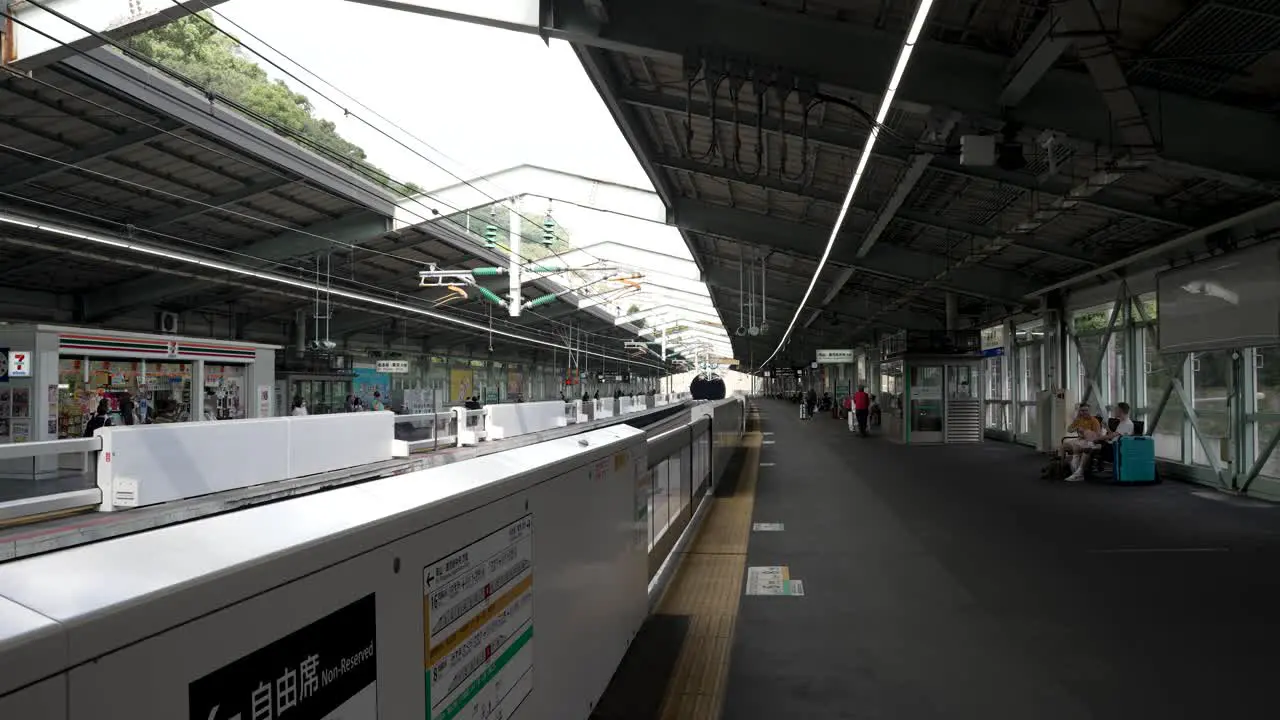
(479,609)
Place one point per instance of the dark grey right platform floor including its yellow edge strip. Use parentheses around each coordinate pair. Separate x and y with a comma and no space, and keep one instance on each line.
(952,582)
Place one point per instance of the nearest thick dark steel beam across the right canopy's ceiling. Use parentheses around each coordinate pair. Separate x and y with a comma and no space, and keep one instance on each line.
(947,76)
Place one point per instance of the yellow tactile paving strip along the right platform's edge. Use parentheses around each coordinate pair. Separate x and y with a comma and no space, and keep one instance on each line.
(706,590)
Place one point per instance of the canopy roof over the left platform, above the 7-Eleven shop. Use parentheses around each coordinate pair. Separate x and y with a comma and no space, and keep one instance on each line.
(125,193)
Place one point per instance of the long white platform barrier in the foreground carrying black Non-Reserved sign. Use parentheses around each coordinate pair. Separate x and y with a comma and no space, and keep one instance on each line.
(330,603)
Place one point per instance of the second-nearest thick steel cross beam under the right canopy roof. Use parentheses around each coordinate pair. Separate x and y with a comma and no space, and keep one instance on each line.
(808,241)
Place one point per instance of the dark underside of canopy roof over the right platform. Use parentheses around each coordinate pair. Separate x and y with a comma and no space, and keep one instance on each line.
(1131,134)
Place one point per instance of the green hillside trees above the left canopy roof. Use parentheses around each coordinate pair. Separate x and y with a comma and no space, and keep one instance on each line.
(214,62)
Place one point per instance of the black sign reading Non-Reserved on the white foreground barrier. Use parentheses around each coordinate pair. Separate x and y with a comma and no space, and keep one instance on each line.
(324,672)
